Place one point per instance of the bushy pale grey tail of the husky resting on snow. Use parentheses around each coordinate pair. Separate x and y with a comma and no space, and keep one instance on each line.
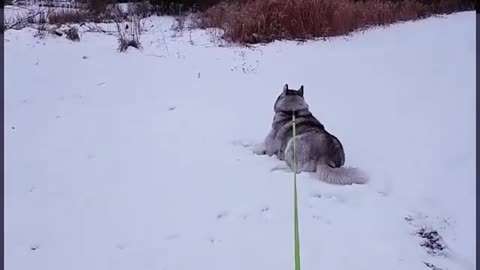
(341,175)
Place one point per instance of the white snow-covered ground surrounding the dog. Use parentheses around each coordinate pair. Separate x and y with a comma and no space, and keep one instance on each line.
(137,160)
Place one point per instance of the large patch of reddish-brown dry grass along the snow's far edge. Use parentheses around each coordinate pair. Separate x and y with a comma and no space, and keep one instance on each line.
(259,21)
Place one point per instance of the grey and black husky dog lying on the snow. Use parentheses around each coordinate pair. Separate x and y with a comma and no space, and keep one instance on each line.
(316,149)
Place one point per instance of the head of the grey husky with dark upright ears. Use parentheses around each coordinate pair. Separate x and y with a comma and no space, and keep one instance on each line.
(290,100)
